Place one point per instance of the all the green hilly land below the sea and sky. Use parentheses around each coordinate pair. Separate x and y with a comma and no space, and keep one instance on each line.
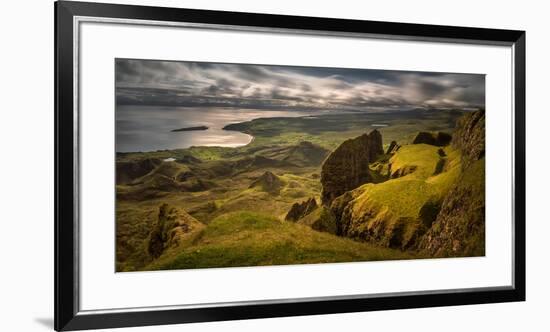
(335,187)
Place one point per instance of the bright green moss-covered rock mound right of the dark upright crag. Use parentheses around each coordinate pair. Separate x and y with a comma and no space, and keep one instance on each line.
(397,212)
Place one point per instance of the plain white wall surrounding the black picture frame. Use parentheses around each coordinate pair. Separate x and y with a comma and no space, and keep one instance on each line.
(26,164)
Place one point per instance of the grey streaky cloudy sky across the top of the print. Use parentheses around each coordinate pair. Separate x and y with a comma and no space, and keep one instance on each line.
(146,82)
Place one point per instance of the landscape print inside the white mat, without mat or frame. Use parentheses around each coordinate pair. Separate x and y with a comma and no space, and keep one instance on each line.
(231,165)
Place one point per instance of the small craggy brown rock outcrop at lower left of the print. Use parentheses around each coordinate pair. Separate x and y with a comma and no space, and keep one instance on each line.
(173,225)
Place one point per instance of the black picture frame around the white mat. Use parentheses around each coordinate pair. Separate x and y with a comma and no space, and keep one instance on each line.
(67,314)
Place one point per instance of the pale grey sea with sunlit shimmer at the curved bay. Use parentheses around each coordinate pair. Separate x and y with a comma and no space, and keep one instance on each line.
(149,128)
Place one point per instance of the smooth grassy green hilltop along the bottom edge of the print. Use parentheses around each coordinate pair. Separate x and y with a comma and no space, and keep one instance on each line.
(252,239)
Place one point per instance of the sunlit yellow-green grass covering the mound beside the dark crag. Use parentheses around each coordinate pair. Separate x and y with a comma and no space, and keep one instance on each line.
(396,204)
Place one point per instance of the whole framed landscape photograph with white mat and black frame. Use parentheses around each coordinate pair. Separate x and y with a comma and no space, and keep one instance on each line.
(219,165)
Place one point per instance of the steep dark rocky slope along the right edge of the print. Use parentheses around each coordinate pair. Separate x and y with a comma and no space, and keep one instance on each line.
(459,228)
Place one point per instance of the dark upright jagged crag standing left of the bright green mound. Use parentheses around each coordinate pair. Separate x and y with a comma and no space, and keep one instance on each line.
(348,166)
